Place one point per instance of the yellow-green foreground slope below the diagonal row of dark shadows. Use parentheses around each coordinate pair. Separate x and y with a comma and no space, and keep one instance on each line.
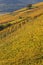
(24,46)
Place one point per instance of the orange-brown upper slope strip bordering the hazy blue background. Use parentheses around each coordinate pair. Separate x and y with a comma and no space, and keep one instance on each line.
(15,15)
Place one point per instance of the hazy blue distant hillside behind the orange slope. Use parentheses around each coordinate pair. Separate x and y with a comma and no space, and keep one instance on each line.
(12,5)
